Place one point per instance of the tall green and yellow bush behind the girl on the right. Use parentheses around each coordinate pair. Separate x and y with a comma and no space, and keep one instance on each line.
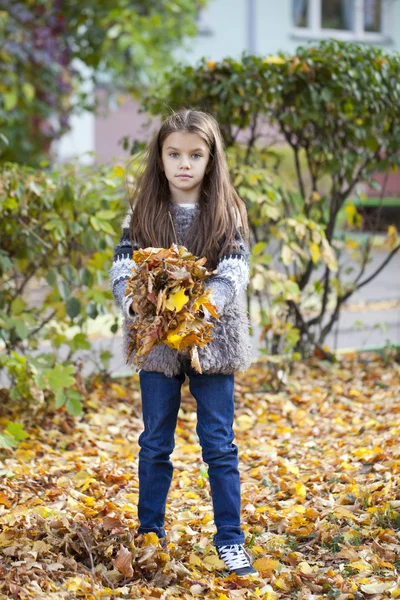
(335,104)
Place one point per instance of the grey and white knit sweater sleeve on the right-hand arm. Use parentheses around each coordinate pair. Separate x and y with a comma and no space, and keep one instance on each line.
(232,277)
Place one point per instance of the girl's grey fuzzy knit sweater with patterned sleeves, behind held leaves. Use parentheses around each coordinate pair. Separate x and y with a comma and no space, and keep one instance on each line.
(230,349)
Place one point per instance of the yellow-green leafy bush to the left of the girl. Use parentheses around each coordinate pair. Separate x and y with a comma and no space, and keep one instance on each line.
(58,232)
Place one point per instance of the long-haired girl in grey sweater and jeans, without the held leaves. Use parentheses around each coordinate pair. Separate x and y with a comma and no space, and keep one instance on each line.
(186,180)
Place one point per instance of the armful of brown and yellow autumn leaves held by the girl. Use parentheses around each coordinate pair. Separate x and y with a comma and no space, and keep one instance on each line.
(168,296)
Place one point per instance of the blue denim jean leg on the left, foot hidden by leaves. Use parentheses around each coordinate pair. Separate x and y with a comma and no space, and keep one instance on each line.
(161,398)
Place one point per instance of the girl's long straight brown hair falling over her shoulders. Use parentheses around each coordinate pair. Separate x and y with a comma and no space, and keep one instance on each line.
(222,212)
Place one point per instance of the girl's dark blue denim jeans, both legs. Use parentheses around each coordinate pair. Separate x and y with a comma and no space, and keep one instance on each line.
(161,398)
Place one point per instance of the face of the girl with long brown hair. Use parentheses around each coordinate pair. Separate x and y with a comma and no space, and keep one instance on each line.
(185,157)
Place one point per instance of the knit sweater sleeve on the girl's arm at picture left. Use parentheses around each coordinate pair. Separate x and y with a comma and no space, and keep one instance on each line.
(121,269)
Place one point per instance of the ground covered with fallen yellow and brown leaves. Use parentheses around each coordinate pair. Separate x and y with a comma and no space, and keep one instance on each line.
(320,472)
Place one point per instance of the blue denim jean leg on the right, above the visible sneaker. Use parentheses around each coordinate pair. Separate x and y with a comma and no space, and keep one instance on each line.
(215,414)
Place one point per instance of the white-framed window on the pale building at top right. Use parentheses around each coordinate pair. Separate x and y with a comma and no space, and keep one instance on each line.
(343,19)
